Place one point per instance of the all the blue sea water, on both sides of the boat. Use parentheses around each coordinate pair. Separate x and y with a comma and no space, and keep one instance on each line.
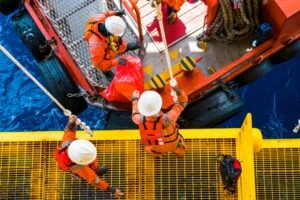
(274,100)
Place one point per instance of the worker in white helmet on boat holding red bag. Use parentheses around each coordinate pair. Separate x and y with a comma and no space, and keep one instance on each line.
(104,35)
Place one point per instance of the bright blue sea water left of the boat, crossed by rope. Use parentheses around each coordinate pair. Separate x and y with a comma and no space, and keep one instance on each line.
(24,106)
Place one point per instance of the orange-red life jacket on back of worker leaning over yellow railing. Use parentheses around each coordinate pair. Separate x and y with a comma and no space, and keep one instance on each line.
(151,132)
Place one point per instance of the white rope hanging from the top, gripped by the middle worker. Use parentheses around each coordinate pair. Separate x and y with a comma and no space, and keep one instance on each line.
(163,35)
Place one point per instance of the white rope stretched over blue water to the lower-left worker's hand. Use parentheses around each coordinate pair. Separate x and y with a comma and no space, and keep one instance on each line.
(65,111)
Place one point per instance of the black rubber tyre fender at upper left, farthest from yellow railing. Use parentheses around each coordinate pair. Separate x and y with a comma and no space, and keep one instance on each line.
(31,35)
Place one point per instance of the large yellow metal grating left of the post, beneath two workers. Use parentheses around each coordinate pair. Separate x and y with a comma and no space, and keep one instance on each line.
(28,171)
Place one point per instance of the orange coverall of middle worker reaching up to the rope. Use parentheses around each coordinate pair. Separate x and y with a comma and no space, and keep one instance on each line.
(170,128)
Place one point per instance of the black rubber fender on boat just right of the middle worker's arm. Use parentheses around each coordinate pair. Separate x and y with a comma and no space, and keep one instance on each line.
(210,110)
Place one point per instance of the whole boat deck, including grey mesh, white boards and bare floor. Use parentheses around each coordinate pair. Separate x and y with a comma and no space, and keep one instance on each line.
(69,22)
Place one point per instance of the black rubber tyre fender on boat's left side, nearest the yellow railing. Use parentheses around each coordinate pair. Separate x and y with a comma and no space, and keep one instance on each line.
(59,83)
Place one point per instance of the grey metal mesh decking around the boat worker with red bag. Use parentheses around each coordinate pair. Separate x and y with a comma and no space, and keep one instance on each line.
(68,18)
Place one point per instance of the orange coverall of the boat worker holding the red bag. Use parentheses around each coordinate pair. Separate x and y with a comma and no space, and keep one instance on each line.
(102,55)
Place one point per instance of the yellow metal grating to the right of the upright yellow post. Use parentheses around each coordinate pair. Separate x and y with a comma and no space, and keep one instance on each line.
(278,173)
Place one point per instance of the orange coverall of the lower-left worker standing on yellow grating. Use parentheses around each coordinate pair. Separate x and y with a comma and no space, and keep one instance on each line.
(88,172)
